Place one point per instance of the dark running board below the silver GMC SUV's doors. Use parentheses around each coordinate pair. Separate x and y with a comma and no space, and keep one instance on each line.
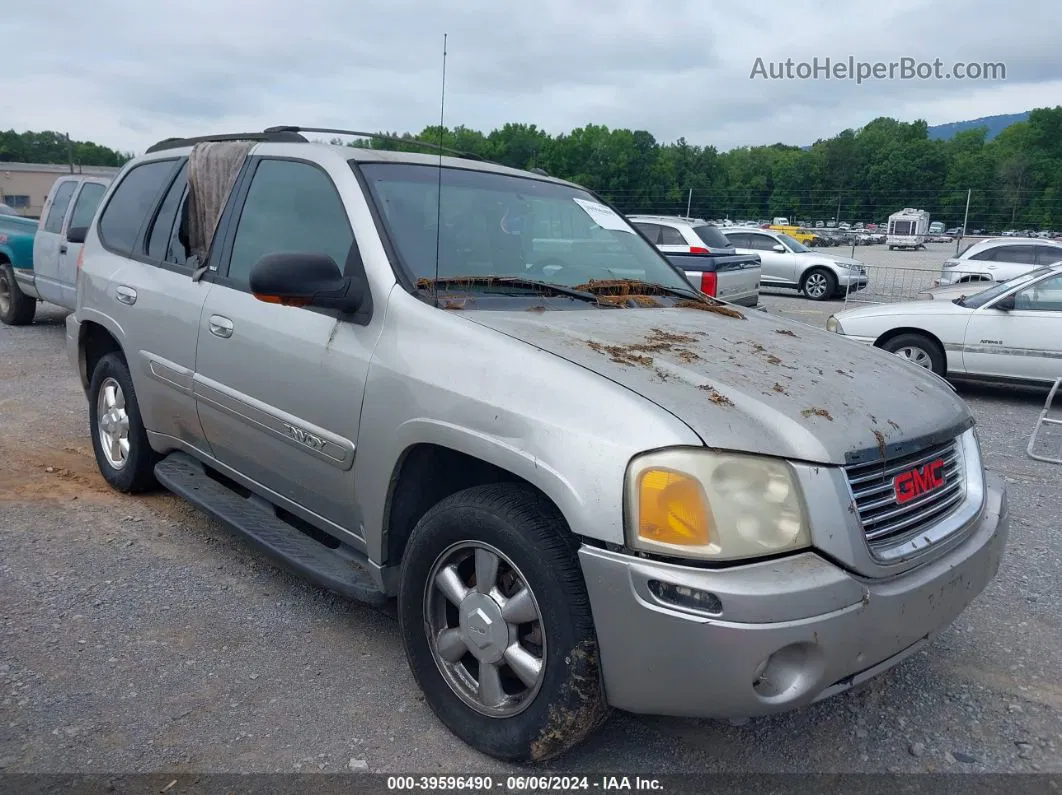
(187,478)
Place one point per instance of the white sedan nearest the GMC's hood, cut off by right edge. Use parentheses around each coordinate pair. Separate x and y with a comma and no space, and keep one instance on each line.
(1013,332)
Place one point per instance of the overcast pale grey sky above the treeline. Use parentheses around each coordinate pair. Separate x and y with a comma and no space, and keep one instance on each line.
(127,75)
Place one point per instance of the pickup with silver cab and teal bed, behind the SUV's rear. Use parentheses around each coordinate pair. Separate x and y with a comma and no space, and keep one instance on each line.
(49,265)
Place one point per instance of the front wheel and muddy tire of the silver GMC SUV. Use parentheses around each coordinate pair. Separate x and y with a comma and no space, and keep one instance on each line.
(547,712)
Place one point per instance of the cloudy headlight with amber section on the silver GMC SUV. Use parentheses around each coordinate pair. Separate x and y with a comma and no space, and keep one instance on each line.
(712,506)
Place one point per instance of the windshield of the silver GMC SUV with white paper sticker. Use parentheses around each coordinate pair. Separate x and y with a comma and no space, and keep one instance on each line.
(496,226)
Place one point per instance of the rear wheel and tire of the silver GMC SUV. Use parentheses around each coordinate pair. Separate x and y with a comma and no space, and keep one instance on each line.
(114,413)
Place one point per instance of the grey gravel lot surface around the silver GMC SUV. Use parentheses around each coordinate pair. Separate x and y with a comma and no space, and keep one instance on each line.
(138,636)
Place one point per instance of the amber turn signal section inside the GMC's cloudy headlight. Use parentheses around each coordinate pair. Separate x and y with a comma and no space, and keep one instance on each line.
(674,509)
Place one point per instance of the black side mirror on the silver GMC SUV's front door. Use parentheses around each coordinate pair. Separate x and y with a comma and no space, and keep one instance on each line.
(304,280)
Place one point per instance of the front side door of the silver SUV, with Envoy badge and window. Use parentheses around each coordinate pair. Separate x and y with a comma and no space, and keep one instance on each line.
(280,388)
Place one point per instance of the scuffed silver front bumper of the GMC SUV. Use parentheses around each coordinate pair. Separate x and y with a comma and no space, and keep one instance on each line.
(791,632)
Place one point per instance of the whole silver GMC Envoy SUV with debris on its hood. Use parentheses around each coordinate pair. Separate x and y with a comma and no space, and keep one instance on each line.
(481,392)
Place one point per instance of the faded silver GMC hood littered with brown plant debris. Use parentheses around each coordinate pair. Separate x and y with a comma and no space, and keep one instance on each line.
(752,383)
